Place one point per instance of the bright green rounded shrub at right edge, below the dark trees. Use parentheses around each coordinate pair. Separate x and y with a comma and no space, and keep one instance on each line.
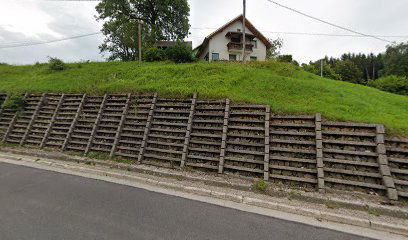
(392,84)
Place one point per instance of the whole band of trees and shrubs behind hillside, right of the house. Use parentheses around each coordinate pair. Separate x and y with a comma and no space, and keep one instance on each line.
(386,71)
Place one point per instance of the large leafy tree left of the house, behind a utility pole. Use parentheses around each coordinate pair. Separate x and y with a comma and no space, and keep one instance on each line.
(161,20)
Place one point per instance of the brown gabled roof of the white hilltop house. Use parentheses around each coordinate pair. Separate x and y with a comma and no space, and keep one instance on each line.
(248,24)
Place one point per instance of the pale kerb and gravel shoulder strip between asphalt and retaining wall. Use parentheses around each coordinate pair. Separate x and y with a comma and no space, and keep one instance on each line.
(320,215)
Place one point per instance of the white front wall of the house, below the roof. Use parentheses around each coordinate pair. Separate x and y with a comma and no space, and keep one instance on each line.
(218,44)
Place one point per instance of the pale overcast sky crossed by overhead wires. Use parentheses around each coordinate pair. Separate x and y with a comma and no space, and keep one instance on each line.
(26,21)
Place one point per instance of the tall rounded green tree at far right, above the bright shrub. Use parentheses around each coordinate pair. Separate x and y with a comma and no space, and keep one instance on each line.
(396,60)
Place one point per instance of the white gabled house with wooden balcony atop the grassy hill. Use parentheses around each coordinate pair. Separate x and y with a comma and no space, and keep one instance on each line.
(226,43)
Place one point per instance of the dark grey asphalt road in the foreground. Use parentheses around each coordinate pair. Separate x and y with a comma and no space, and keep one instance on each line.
(38,204)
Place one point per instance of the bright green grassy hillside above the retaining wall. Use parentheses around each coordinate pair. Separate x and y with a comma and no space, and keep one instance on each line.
(284,87)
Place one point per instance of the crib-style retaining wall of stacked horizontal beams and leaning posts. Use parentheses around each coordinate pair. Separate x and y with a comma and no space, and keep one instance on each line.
(218,136)
